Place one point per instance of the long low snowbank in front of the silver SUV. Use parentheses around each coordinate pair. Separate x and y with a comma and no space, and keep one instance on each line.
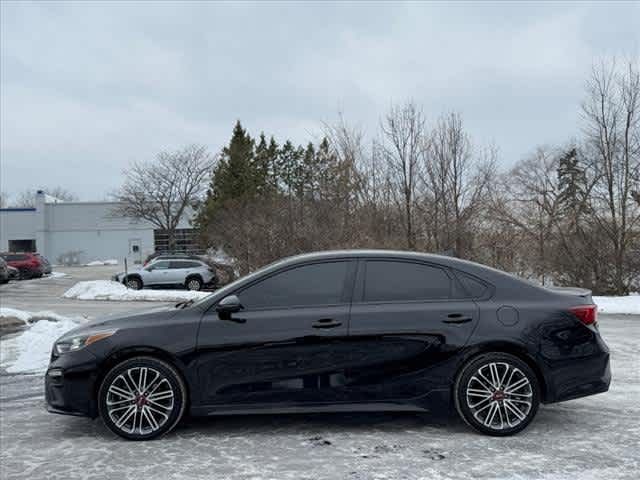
(109,290)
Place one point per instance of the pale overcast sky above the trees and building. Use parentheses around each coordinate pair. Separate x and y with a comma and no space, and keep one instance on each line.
(87,88)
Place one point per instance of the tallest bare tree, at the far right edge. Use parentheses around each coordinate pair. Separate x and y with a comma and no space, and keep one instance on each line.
(611,116)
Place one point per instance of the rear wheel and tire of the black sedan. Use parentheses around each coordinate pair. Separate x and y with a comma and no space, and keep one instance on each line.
(497,394)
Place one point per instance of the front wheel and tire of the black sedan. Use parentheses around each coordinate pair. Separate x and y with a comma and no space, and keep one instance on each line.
(142,398)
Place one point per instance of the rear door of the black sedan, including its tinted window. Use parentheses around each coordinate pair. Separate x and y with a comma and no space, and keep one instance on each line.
(431,331)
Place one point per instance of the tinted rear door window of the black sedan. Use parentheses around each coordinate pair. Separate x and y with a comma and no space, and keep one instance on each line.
(401,281)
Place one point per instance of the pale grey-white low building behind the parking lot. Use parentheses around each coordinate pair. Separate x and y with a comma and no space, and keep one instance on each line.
(85,230)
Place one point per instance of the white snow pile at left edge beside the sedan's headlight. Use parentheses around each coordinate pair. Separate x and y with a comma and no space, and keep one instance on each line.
(29,351)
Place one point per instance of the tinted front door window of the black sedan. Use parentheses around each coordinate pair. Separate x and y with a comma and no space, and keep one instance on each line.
(317,284)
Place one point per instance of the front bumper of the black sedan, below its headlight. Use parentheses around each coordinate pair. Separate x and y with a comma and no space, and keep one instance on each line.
(70,384)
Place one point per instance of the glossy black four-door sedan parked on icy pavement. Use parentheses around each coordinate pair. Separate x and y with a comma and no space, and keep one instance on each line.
(339,331)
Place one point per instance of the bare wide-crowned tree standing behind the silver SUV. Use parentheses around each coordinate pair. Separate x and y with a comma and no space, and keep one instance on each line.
(161,191)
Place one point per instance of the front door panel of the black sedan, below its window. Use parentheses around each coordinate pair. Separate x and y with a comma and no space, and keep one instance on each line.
(275,356)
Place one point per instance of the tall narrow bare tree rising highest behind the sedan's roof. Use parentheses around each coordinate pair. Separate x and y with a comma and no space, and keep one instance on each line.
(402,147)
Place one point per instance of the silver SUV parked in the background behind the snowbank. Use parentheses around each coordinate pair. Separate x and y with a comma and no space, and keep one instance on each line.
(192,274)
